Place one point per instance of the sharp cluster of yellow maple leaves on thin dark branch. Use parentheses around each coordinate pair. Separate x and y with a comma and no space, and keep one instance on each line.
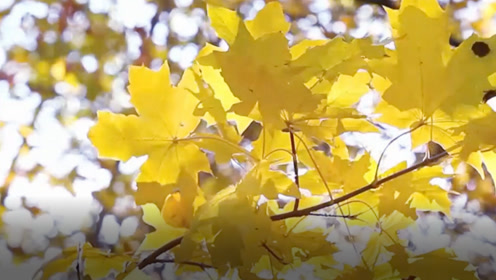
(275,115)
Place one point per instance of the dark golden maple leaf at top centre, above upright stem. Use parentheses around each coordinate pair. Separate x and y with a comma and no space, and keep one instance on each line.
(263,51)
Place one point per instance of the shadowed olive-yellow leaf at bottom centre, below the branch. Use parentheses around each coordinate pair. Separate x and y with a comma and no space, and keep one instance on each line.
(229,242)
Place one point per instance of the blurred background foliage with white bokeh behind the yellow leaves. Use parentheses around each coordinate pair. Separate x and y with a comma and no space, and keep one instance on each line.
(61,61)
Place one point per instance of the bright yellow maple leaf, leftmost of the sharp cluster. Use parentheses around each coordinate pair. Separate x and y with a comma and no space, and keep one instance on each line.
(165,120)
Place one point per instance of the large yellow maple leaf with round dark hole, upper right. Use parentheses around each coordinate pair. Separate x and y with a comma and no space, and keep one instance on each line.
(429,88)
